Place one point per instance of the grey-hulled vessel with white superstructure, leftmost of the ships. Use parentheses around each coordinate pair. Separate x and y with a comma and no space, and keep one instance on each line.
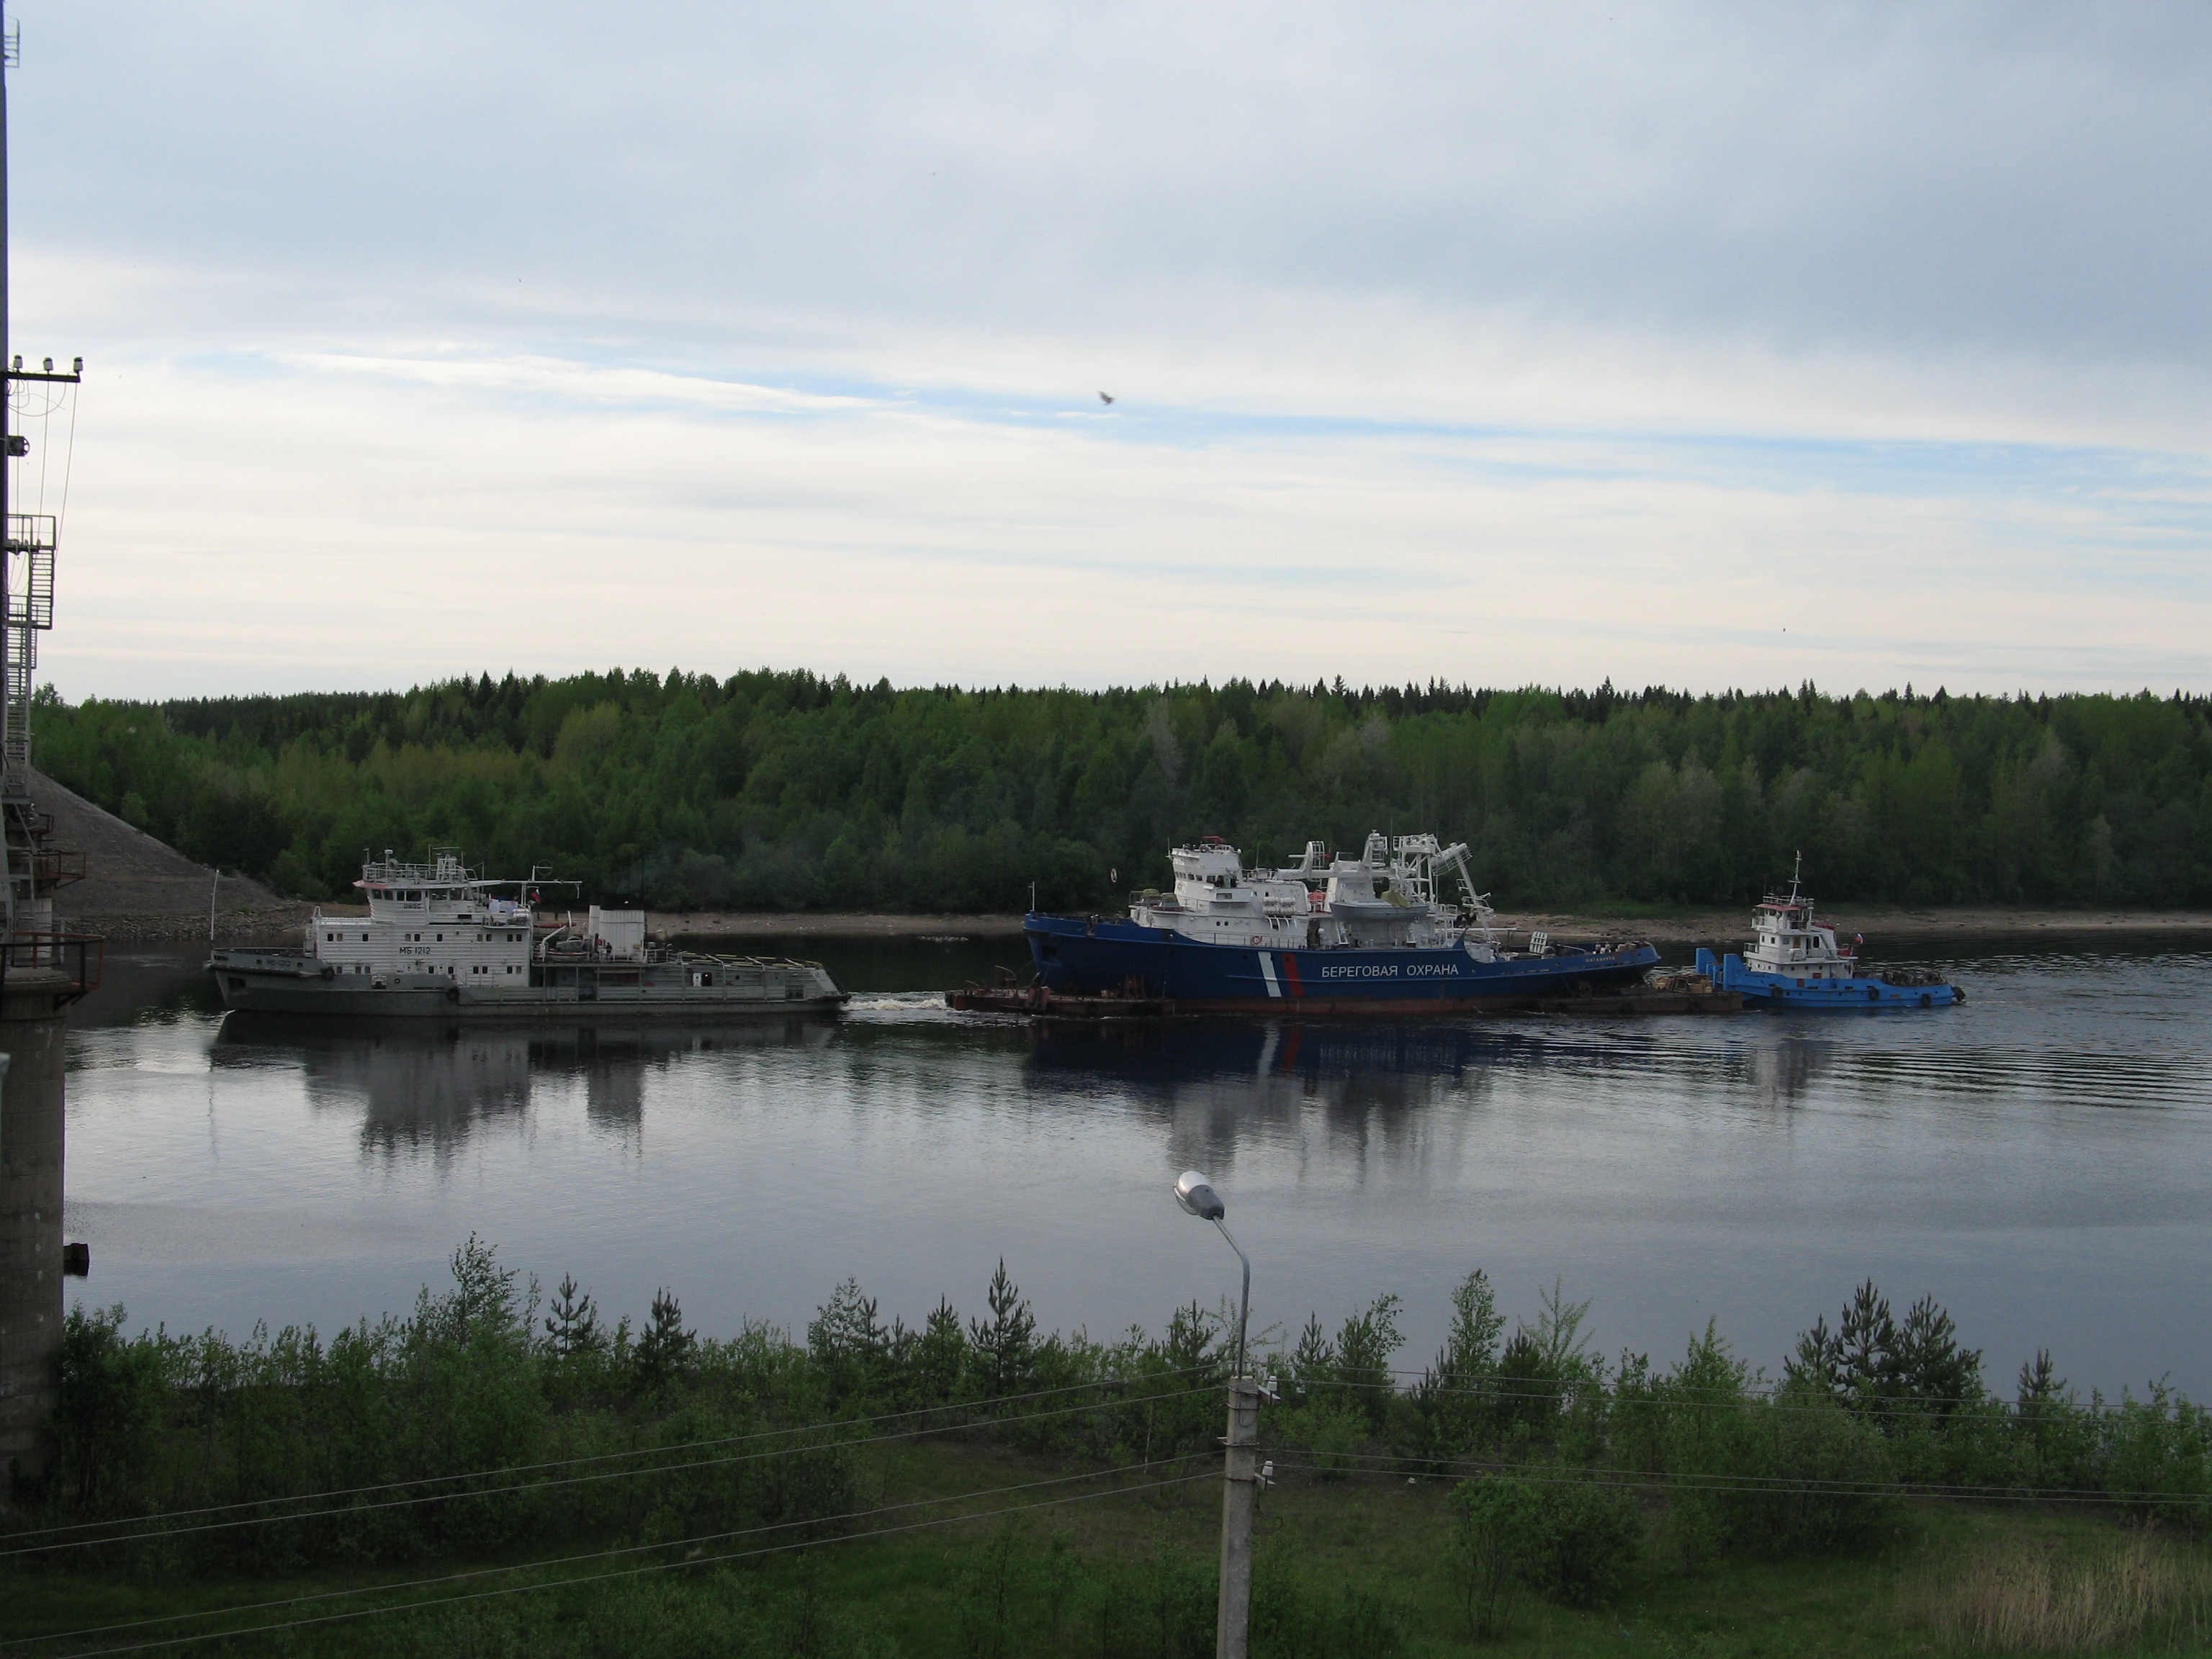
(444,941)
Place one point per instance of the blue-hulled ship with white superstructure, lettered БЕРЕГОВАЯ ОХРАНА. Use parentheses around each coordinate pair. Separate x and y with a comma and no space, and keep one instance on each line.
(1366,935)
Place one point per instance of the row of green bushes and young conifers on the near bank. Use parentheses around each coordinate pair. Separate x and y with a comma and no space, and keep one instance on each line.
(494,1426)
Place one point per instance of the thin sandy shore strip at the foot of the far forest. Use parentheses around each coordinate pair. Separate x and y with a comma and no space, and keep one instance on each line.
(1691,928)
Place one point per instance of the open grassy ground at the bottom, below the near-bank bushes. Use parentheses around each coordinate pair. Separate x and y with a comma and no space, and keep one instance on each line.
(1361,1567)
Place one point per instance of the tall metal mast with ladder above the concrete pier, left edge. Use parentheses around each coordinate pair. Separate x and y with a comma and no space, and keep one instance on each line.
(28,870)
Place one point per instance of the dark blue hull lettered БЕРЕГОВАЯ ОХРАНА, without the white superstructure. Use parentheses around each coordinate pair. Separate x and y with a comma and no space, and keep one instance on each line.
(1129,959)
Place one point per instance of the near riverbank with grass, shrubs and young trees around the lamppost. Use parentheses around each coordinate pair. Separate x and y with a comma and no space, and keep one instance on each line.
(505,1472)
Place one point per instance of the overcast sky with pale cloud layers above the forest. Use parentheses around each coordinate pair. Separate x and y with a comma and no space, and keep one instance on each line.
(1695,346)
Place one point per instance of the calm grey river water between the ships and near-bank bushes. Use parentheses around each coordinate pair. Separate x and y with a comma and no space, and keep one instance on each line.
(2038,1160)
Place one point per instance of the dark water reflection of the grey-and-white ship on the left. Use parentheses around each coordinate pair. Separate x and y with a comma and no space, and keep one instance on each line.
(428,1087)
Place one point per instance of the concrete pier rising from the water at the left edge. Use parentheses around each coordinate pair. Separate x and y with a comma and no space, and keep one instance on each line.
(32,1034)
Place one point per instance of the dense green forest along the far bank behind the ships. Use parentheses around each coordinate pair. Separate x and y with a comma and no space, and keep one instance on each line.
(784,791)
